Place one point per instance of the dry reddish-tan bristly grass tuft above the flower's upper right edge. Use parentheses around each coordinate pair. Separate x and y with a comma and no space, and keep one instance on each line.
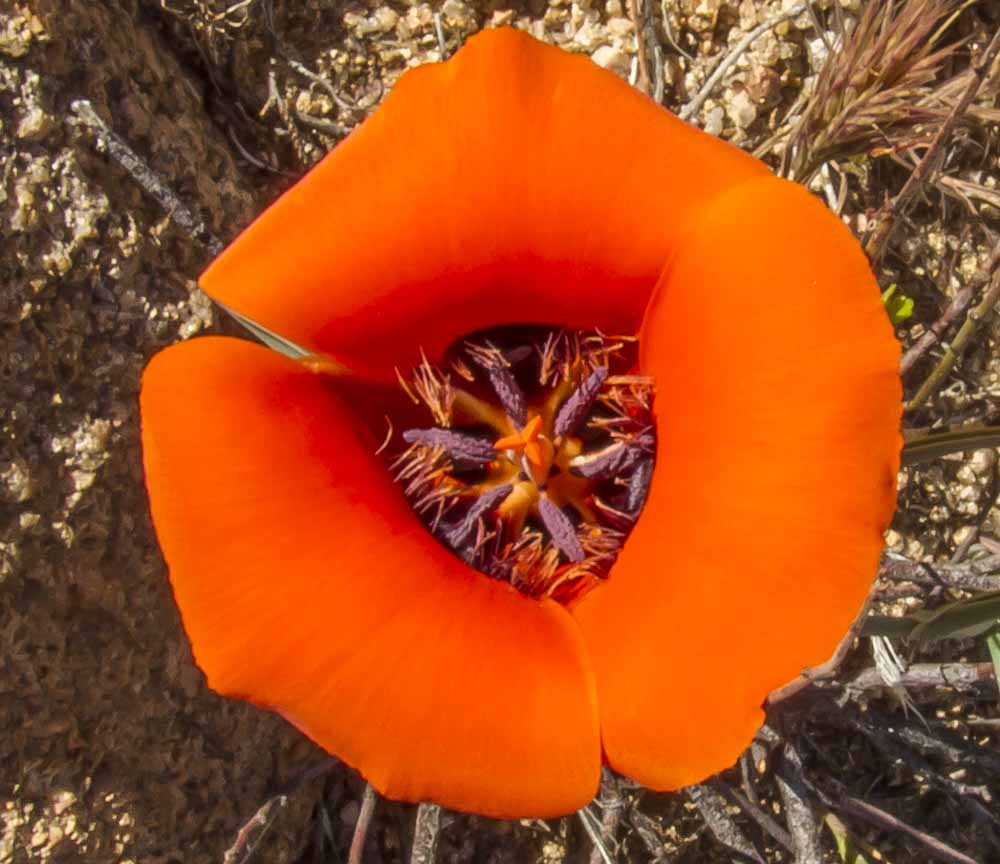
(877,89)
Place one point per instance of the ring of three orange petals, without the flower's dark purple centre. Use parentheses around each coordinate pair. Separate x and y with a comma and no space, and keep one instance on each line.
(516,183)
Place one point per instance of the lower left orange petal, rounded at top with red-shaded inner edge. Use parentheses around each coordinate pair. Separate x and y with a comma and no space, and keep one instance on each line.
(307,585)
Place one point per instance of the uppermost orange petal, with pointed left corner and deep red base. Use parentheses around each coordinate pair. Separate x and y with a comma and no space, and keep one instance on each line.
(513,183)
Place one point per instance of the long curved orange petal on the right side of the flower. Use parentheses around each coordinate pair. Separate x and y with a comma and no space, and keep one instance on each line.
(777,410)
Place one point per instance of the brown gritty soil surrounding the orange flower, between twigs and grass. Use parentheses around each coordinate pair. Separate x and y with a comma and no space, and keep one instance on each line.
(111,747)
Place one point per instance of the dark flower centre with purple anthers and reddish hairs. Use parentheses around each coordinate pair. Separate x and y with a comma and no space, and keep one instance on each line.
(538,455)
